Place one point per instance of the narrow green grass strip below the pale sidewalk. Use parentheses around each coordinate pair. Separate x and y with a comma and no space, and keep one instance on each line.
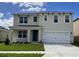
(20,55)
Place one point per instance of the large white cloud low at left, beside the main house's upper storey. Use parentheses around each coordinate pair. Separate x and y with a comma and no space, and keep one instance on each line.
(6,22)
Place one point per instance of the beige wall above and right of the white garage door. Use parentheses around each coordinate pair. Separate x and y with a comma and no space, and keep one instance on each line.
(61,26)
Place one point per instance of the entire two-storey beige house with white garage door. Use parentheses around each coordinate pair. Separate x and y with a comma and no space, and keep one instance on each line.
(47,27)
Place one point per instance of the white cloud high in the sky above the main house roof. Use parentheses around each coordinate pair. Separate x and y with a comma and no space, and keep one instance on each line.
(31,6)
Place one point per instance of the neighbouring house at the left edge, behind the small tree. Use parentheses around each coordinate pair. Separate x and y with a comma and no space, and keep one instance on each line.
(3,33)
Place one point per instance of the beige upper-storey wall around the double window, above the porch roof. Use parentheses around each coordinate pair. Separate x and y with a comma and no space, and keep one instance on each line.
(30,20)
